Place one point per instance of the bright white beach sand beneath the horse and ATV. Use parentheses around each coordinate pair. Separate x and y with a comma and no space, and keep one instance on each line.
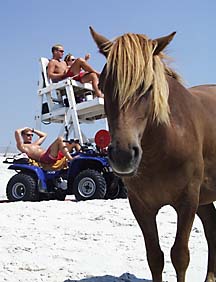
(92,241)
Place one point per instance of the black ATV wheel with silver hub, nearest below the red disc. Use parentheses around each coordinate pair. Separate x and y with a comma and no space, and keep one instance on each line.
(89,184)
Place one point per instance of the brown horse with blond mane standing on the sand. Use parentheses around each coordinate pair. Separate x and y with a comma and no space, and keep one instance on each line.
(163,144)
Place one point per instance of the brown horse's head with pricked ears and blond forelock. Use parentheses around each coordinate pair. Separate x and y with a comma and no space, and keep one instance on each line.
(136,94)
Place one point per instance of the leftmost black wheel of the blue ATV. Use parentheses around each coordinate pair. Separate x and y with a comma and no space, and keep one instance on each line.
(22,187)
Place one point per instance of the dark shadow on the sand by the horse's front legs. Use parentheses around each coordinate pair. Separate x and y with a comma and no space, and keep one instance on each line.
(126,277)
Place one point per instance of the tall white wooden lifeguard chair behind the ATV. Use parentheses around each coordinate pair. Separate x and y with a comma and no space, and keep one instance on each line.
(66,102)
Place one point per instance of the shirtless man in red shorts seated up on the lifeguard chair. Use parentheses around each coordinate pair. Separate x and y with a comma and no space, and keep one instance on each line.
(58,69)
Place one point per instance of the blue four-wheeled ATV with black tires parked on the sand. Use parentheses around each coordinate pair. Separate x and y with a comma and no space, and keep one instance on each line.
(88,177)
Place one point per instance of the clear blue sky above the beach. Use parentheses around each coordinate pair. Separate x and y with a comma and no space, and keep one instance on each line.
(29,28)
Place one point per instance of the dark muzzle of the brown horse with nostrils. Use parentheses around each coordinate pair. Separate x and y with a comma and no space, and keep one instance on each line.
(124,162)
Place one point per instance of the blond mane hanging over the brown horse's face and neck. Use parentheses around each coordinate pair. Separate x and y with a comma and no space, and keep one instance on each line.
(134,69)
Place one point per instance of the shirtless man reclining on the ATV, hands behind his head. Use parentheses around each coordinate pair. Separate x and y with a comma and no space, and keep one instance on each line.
(34,151)
